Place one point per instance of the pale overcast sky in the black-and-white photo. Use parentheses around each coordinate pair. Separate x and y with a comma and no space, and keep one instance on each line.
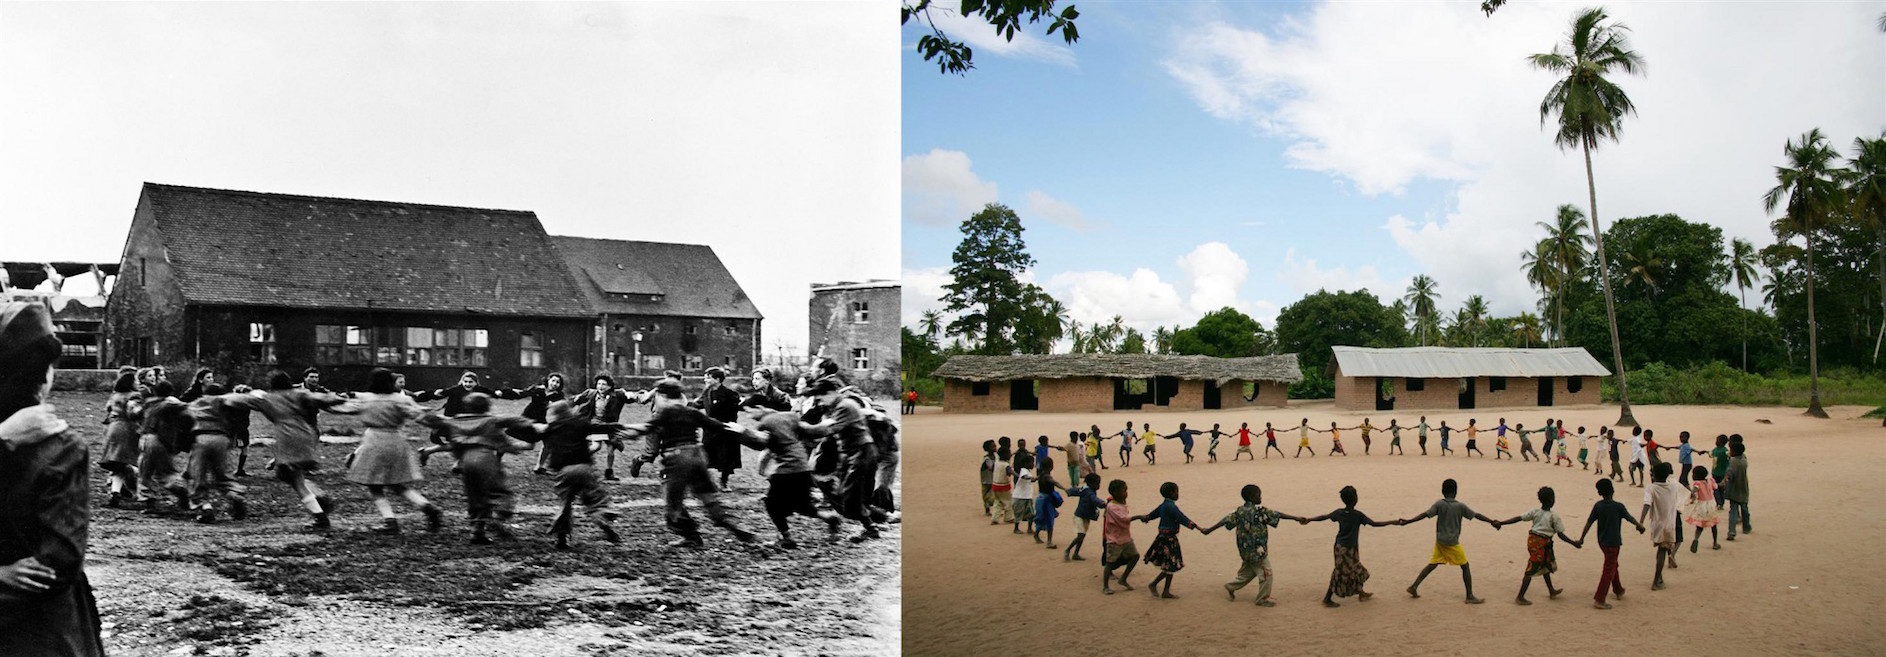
(765,131)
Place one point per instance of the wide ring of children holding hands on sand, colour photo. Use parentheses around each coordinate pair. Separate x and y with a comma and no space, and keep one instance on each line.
(1019,488)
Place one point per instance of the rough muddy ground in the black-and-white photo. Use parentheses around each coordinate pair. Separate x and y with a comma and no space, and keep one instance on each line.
(265,588)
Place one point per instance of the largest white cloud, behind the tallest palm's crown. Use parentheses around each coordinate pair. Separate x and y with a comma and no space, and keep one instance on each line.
(1387,95)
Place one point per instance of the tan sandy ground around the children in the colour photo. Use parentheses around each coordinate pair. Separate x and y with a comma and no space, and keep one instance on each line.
(1806,582)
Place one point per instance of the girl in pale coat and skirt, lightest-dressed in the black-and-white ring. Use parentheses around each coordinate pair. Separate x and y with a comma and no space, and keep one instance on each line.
(386,463)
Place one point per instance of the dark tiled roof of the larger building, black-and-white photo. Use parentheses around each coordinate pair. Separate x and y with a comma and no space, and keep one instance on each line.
(314,252)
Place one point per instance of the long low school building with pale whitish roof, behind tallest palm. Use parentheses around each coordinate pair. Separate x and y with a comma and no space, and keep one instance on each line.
(1444,379)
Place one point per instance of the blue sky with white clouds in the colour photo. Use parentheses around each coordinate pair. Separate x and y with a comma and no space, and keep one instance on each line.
(1183,158)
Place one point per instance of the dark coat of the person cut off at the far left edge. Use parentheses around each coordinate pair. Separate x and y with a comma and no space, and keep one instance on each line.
(44,514)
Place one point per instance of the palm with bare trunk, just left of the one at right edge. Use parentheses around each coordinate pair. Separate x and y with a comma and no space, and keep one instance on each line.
(1810,194)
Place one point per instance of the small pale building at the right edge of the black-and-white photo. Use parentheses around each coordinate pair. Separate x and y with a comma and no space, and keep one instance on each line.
(857,328)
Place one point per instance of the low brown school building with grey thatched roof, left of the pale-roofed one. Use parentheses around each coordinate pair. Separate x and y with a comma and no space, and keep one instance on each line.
(1108,382)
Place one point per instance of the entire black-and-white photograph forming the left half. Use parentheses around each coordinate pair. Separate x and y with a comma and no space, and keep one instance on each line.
(450,329)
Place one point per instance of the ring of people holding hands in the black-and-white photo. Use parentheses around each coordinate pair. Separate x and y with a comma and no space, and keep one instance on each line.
(827,439)
